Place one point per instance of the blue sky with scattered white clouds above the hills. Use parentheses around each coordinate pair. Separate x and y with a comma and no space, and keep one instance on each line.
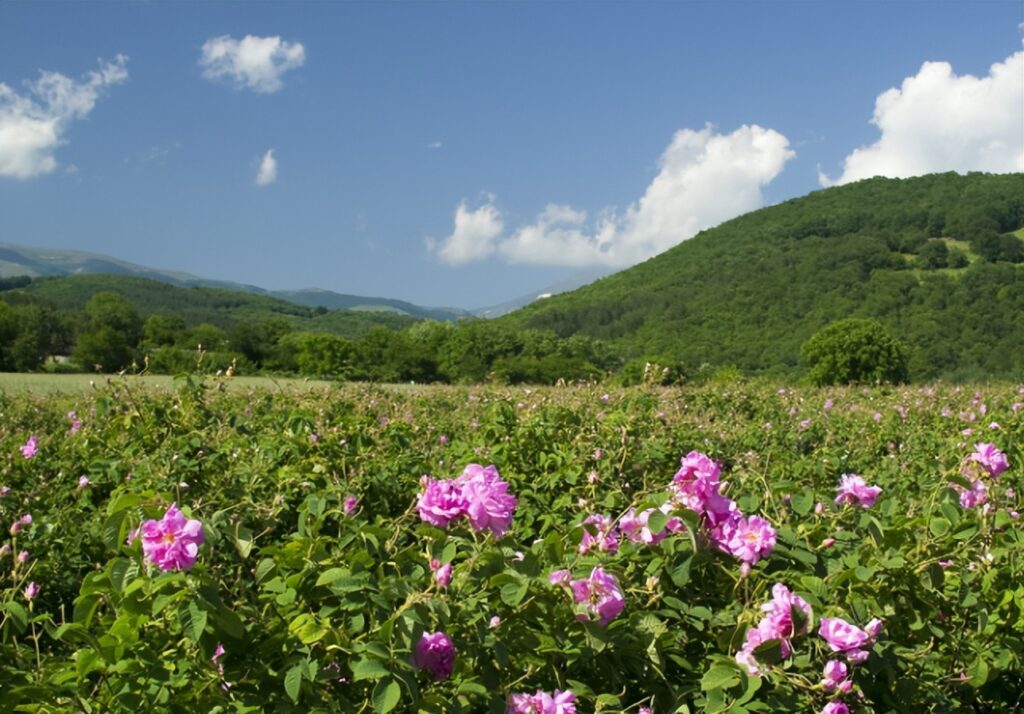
(465,154)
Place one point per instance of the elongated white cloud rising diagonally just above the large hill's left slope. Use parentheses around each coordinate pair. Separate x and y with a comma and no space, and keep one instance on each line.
(705,179)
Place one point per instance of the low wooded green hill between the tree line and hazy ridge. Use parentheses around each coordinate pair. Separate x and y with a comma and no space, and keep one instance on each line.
(223,309)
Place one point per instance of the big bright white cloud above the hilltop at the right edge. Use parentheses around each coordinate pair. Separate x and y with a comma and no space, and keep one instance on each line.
(938,121)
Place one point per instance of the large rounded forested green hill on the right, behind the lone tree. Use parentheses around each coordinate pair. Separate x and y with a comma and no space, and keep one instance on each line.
(933,259)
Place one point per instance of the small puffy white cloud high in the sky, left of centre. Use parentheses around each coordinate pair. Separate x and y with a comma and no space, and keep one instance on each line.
(252,63)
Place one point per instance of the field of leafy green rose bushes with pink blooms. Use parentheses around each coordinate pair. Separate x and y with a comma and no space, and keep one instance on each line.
(731,548)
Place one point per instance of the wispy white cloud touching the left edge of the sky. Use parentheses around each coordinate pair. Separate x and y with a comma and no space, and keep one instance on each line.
(33,125)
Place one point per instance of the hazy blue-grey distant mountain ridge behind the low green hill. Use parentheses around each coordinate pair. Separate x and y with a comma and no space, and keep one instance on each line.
(39,263)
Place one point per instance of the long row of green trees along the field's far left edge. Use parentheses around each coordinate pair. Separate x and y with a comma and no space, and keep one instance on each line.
(110,335)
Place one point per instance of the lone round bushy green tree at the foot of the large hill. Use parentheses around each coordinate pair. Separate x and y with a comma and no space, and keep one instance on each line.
(856,352)
